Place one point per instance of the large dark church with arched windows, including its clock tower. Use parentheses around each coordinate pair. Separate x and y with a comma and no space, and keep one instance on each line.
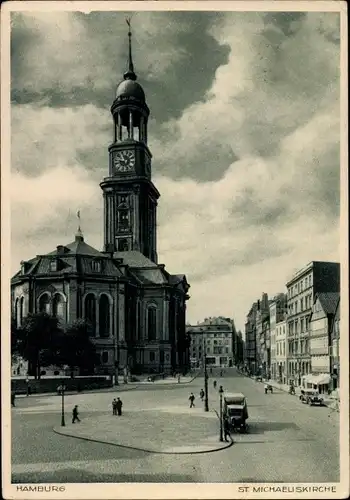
(135,307)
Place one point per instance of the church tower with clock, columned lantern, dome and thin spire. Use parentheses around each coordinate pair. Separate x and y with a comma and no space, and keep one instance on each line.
(130,197)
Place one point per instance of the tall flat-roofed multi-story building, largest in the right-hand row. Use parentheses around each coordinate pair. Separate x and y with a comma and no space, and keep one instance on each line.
(301,289)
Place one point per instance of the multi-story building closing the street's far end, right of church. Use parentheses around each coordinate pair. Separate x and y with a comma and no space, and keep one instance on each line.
(212,338)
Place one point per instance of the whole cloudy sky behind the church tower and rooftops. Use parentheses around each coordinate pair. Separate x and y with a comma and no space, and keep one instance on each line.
(244,133)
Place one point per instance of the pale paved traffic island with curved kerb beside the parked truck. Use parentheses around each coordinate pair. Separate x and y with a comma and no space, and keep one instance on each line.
(170,429)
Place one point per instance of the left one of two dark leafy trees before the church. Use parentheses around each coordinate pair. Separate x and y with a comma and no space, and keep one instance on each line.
(37,339)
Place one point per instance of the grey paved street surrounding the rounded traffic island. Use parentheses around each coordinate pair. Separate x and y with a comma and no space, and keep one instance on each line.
(287,442)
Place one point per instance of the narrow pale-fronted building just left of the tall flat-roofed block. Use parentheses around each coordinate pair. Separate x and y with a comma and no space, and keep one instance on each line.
(277,313)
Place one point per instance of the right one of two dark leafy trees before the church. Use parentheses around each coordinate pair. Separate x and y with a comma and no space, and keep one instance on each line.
(75,348)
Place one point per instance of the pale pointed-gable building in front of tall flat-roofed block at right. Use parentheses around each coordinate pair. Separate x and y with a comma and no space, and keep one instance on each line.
(321,325)
